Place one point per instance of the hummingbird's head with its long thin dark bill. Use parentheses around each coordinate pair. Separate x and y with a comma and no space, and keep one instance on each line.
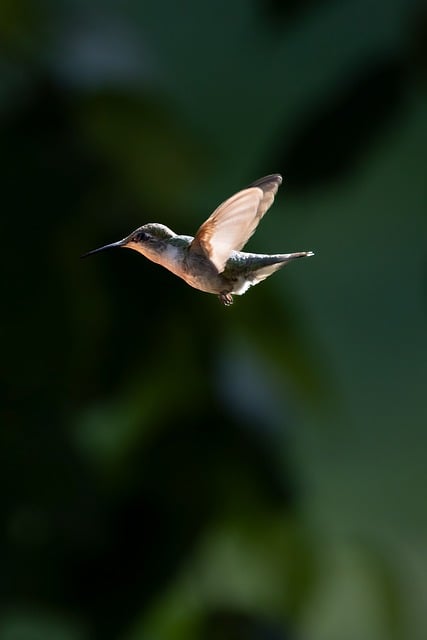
(150,240)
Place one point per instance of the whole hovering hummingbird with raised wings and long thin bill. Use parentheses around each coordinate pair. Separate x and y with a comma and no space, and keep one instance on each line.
(212,260)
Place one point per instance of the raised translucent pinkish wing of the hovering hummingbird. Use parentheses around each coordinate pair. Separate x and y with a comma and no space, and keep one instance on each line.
(231,225)
